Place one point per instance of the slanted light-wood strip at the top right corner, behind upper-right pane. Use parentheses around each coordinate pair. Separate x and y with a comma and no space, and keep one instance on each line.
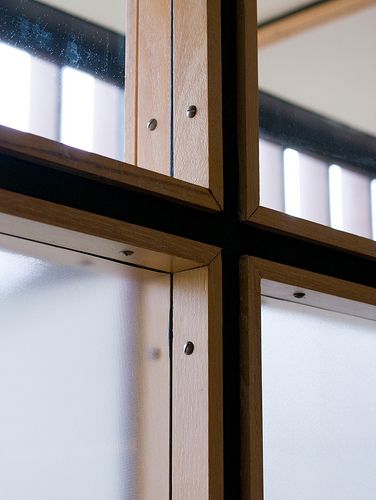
(307,19)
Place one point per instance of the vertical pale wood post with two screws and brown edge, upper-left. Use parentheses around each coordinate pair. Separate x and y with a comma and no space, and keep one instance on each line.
(164,75)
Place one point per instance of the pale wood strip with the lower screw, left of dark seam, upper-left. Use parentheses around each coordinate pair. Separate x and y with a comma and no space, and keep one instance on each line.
(148,84)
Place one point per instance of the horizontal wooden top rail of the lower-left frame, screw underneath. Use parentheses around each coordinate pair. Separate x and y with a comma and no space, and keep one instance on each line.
(40,220)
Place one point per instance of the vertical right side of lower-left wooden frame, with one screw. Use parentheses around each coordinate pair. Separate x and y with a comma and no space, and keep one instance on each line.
(197,435)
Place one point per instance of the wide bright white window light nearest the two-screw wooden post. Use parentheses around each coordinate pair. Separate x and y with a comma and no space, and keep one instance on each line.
(77,109)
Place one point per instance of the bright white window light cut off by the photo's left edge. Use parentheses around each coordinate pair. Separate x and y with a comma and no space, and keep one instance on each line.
(15,87)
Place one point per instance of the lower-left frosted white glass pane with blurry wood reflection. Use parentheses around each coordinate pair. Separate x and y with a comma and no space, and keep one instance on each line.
(84,379)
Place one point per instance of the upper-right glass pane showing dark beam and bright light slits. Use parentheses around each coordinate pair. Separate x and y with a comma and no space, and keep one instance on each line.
(317,83)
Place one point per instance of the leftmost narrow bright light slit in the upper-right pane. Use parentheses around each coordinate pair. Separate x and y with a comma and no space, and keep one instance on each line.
(292,182)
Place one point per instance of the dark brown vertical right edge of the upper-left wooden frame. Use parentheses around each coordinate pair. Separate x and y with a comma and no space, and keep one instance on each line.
(215,100)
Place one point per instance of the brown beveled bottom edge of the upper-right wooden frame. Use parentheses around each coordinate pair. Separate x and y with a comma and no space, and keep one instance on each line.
(312,231)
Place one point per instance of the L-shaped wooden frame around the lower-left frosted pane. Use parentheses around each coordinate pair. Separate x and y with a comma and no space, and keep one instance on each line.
(195,270)
